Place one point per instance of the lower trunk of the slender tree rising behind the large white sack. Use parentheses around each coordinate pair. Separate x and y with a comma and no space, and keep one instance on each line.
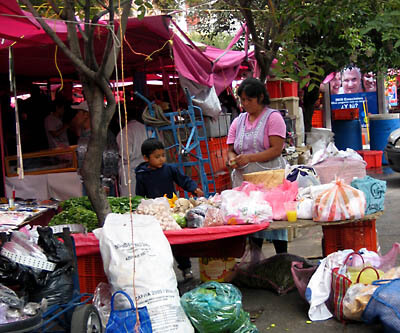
(94,155)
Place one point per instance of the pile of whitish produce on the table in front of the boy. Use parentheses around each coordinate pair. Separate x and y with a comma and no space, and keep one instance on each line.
(160,209)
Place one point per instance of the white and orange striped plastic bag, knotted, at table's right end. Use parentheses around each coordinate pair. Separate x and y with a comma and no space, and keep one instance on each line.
(341,202)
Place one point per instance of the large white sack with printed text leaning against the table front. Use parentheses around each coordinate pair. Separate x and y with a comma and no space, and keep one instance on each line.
(155,280)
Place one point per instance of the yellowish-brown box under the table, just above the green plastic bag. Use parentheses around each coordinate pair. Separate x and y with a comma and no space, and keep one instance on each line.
(216,269)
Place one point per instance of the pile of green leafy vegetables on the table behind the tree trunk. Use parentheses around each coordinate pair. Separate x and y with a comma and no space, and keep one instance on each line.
(80,211)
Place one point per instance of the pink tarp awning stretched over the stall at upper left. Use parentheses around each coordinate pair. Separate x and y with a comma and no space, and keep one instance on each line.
(35,54)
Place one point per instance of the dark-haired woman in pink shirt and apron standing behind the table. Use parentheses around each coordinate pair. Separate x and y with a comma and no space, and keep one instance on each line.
(255,142)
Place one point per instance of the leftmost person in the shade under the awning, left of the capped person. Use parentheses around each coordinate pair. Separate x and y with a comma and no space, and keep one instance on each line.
(56,130)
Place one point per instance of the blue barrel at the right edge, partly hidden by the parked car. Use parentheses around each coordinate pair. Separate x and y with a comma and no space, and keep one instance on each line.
(380,127)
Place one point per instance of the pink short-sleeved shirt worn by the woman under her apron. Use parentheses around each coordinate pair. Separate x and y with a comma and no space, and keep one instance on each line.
(275,127)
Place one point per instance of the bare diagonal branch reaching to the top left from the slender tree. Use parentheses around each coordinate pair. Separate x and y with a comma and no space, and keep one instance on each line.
(77,61)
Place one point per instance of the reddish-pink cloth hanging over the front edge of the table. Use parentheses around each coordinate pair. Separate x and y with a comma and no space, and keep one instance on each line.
(89,244)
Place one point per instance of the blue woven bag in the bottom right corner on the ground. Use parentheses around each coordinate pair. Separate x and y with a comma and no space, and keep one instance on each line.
(384,305)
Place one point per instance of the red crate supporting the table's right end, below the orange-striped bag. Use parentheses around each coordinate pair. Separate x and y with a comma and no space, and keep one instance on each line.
(355,235)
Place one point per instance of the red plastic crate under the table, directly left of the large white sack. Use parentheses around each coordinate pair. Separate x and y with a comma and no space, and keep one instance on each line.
(90,272)
